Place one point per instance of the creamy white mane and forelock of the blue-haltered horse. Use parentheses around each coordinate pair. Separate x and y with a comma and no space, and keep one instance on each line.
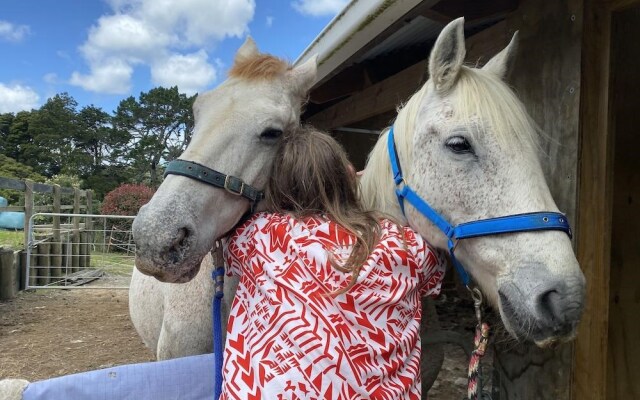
(503,113)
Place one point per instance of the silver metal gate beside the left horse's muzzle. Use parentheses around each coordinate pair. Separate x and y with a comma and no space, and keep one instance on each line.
(79,251)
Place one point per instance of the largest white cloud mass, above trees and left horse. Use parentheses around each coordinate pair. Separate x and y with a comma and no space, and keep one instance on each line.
(167,36)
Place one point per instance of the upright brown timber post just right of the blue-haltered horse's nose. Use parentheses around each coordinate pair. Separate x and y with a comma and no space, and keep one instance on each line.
(593,226)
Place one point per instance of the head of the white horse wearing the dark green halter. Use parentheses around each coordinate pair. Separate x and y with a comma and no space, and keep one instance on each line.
(237,127)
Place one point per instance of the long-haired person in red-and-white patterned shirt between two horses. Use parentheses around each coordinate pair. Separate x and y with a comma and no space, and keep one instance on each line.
(328,304)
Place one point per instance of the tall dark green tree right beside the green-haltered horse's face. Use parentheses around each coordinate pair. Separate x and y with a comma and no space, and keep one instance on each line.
(160,123)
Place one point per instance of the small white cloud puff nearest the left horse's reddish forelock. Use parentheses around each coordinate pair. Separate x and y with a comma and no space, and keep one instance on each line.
(190,72)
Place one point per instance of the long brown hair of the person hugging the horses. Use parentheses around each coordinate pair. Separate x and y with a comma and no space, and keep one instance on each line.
(311,175)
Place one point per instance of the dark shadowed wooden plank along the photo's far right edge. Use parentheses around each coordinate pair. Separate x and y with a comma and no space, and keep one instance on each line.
(624,307)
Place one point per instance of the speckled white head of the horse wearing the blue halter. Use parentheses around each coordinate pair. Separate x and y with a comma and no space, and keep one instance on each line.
(468,148)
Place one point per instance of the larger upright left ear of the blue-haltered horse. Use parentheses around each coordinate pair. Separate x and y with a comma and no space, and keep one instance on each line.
(447,55)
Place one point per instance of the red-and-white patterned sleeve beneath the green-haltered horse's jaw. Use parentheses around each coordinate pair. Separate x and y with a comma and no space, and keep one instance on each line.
(240,244)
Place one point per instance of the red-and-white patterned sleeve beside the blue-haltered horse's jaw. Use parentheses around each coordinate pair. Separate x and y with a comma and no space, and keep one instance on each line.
(432,263)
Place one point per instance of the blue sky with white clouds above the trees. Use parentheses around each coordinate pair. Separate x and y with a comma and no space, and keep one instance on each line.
(102,51)
